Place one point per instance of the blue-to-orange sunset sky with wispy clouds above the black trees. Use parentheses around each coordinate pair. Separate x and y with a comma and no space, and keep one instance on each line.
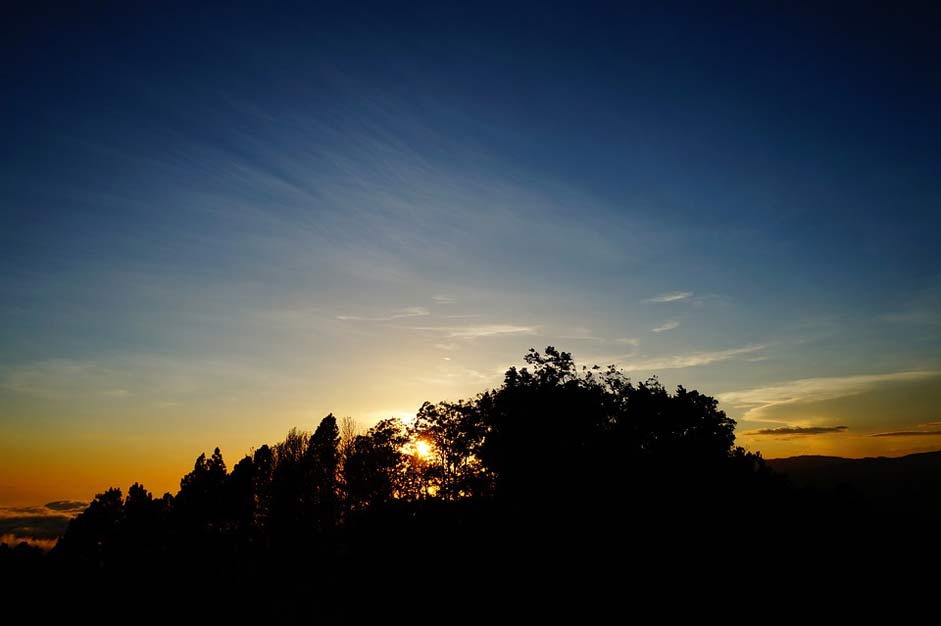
(217,223)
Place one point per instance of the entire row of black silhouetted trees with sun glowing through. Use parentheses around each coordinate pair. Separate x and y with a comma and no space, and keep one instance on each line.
(552,436)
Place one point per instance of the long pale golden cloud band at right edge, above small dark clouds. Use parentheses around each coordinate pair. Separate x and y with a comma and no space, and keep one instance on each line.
(804,390)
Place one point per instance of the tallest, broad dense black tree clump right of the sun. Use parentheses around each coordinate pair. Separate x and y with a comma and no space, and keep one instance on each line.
(556,428)
